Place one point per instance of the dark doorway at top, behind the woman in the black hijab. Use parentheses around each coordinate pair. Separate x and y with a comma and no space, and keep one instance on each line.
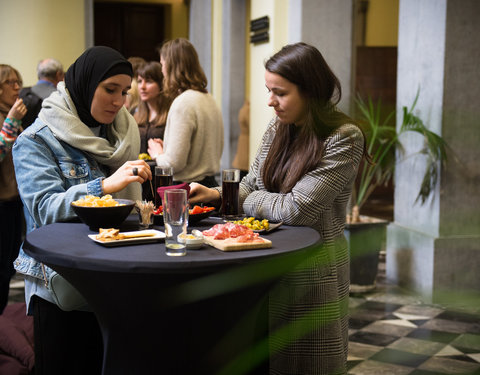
(132,29)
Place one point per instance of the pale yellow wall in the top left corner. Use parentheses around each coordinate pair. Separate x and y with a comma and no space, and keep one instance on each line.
(33,30)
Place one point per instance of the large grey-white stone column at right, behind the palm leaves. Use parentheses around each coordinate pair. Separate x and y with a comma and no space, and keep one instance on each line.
(434,248)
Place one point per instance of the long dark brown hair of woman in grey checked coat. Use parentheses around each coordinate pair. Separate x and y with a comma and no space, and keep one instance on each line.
(296,150)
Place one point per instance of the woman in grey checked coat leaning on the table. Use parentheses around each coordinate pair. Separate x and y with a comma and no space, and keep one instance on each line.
(303,174)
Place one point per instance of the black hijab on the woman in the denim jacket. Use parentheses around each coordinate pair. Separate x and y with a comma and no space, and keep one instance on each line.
(93,66)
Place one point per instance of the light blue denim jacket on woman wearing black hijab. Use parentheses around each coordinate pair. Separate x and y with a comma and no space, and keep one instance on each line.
(50,175)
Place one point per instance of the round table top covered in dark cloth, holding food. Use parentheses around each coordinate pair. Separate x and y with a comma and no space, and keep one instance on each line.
(68,245)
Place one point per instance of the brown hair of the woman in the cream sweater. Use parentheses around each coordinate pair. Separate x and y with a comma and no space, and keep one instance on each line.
(183,69)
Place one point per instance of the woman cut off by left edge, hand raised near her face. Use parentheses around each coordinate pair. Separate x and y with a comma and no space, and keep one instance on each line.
(12,111)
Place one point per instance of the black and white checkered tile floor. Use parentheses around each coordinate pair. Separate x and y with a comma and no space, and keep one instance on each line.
(393,333)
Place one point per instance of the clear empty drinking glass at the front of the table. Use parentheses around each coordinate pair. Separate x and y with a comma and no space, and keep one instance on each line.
(175,218)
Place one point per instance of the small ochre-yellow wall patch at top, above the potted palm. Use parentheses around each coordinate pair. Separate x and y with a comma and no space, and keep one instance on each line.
(382,23)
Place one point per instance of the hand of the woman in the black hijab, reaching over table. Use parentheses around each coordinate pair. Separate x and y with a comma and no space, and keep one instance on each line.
(131,171)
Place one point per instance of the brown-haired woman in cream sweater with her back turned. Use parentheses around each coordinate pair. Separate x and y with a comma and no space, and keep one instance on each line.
(193,141)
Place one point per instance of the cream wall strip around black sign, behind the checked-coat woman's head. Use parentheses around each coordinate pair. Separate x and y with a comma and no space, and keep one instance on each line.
(260,113)
